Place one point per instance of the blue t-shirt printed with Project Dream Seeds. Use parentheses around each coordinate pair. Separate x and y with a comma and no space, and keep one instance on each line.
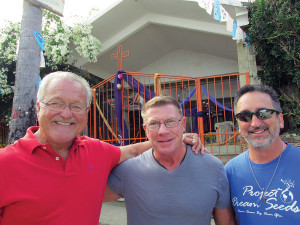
(282,205)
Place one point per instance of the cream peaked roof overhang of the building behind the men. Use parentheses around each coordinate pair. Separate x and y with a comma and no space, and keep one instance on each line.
(150,29)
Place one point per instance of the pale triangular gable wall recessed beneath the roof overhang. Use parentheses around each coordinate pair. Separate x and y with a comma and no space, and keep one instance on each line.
(187,63)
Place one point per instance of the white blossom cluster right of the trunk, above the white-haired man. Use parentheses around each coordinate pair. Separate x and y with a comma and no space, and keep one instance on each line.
(59,36)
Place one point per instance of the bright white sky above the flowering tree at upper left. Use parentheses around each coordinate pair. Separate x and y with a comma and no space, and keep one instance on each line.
(12,10)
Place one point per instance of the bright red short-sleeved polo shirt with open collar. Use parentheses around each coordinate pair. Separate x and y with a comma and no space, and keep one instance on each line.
(37,186)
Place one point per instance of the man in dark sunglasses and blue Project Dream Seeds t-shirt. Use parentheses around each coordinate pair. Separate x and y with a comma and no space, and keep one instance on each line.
(264,180)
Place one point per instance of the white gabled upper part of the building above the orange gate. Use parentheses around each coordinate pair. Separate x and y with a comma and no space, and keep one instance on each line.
(169,37)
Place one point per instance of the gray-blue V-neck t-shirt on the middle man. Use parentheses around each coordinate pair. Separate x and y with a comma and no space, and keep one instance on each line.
(184,196)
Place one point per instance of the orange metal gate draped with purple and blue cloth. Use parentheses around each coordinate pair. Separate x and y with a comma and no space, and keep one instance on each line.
(207,104)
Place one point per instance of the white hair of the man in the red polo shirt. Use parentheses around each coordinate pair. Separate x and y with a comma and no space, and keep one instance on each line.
(62,75)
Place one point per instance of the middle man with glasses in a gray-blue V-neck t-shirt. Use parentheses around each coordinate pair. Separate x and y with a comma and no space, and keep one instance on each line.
(169,184)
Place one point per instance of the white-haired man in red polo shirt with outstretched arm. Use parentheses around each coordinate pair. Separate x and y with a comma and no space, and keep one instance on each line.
(51,176)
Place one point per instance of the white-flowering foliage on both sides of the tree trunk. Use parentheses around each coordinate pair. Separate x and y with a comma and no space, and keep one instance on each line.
(59,38)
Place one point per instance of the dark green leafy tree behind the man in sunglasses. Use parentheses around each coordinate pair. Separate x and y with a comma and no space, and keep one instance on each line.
(274,27)
